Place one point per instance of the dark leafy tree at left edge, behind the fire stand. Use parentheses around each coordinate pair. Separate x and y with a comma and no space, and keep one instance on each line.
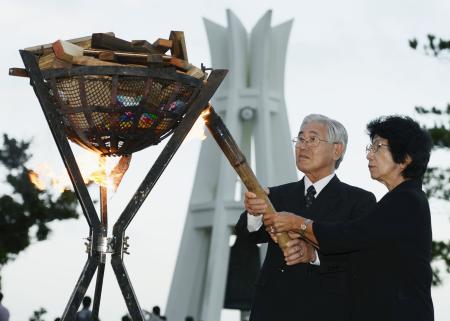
(26,212)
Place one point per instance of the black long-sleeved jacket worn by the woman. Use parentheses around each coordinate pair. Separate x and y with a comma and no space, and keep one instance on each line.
(392,274)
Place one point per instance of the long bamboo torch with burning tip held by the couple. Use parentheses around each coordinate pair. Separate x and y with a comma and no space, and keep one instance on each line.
(234,155)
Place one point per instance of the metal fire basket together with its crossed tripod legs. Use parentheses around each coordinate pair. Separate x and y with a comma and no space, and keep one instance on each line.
(116,110)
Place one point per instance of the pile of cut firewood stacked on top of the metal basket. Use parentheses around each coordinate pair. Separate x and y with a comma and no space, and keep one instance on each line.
(104,49)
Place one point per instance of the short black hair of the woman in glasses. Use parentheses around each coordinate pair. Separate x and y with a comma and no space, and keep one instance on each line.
(406,138)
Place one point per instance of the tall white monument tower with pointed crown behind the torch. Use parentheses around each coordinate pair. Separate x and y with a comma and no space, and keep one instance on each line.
(251,103)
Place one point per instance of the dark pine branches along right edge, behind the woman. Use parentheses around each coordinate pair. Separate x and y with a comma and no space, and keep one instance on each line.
(437,179)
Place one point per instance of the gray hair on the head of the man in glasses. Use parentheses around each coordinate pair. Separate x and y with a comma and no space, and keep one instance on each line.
(336,131)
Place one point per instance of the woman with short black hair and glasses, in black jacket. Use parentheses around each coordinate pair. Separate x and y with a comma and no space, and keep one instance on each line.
(391,280)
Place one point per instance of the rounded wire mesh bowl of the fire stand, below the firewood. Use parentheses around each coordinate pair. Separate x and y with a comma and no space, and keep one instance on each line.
(120,110)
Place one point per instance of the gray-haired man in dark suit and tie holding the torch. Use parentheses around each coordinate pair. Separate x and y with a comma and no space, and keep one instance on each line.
(317,288)
